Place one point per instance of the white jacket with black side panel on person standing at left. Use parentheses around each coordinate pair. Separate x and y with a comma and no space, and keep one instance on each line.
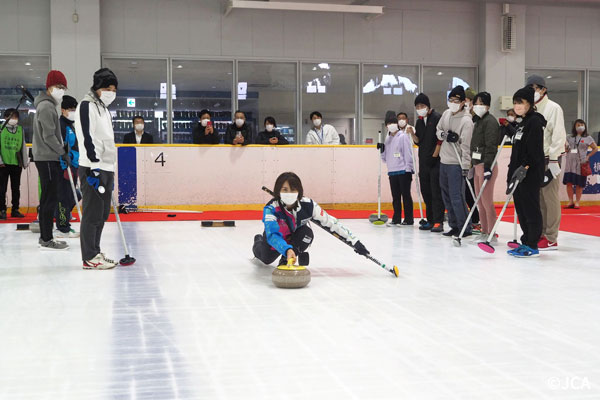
(93,127)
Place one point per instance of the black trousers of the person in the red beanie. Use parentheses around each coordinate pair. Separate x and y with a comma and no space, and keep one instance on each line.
(50,175)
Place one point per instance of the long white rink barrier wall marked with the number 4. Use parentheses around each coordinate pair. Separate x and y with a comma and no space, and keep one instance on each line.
(225,177)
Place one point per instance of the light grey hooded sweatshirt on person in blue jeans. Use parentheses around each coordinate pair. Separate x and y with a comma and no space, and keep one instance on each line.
(462,124)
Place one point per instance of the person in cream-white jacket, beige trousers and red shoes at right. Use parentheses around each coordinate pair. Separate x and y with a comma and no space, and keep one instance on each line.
(555,137)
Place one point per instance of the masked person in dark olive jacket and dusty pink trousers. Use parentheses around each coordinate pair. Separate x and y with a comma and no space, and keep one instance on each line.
(484,146)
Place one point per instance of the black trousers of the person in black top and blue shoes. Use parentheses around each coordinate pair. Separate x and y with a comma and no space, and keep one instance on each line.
(527,204)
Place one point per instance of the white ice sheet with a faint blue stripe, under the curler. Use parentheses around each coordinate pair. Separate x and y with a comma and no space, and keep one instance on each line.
(197,318)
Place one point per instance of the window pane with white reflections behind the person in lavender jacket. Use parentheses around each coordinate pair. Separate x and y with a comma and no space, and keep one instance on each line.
(387,87)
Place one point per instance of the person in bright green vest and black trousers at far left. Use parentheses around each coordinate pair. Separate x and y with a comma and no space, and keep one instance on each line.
(13,158)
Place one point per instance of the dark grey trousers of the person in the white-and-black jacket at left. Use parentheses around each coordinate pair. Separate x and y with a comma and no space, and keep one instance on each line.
(95,210)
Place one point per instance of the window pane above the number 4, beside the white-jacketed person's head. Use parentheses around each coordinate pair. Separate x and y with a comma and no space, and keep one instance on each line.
(139,93)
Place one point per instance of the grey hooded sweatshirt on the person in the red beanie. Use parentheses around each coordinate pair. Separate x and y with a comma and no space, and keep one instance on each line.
(47,139)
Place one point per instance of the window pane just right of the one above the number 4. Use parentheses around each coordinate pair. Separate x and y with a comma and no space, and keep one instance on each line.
(201,85)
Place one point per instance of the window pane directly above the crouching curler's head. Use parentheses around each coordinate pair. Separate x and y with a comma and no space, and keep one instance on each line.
(268,89)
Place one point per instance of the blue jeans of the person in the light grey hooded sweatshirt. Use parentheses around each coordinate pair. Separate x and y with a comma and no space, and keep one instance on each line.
(452,184)
